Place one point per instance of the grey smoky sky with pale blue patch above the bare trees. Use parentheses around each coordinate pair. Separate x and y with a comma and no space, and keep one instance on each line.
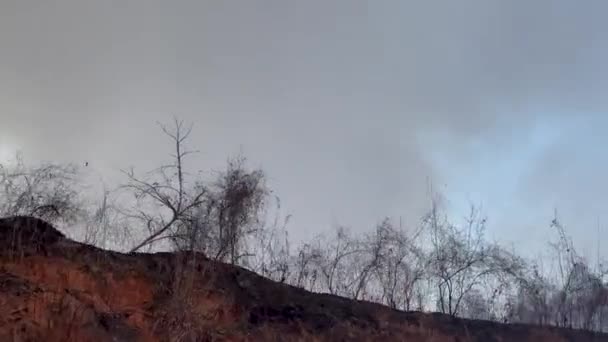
(351,107)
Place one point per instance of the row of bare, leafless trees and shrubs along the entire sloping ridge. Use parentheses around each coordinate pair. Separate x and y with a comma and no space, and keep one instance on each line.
(440,265)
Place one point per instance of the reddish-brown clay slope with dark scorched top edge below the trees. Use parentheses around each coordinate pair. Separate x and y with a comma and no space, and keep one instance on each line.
(54,289)
